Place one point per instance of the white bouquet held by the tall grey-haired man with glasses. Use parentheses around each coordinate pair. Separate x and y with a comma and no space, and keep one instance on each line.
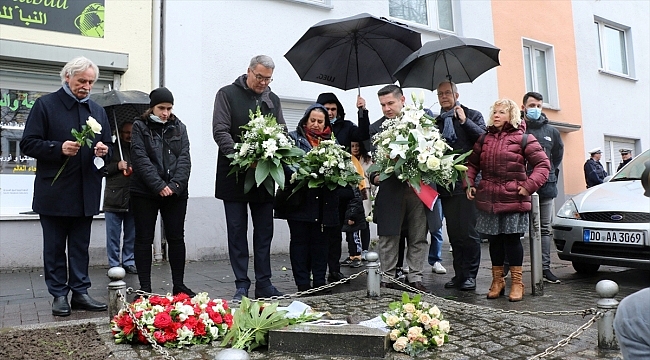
(264,149)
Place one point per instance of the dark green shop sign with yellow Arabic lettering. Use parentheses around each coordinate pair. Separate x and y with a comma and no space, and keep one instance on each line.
(84,17)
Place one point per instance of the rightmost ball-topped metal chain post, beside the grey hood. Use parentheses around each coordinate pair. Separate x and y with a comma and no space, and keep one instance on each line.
(607,290)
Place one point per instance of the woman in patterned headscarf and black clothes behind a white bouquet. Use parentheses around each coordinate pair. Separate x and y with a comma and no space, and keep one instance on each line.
(316,215)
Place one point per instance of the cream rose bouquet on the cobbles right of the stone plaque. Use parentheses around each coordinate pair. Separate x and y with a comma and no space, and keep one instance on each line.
(415,325)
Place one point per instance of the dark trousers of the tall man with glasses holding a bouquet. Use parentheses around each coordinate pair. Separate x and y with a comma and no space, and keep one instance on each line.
(237,224)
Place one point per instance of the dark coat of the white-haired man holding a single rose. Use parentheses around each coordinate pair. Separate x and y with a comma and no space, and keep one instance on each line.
(77,191)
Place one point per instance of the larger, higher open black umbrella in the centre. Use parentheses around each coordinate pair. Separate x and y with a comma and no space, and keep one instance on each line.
(348,53)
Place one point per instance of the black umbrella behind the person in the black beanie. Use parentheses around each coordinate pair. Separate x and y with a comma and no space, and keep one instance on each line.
(122,106)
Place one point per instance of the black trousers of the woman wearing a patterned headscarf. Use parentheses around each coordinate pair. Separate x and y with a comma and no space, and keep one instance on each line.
(308,252)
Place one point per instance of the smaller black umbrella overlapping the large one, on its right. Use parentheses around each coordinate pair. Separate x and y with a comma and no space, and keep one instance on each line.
(453,58)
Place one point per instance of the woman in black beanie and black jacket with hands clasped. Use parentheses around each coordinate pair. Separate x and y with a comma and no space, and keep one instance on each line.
(160,153)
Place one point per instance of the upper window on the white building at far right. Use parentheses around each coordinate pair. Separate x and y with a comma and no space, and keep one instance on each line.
(613,48)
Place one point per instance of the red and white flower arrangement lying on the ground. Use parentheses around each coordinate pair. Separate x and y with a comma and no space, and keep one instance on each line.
(174,321)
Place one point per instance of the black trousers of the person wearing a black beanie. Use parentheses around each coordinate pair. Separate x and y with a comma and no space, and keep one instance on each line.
(145,212)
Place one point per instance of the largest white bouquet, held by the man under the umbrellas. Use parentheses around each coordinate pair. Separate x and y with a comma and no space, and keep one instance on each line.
(411,147)
